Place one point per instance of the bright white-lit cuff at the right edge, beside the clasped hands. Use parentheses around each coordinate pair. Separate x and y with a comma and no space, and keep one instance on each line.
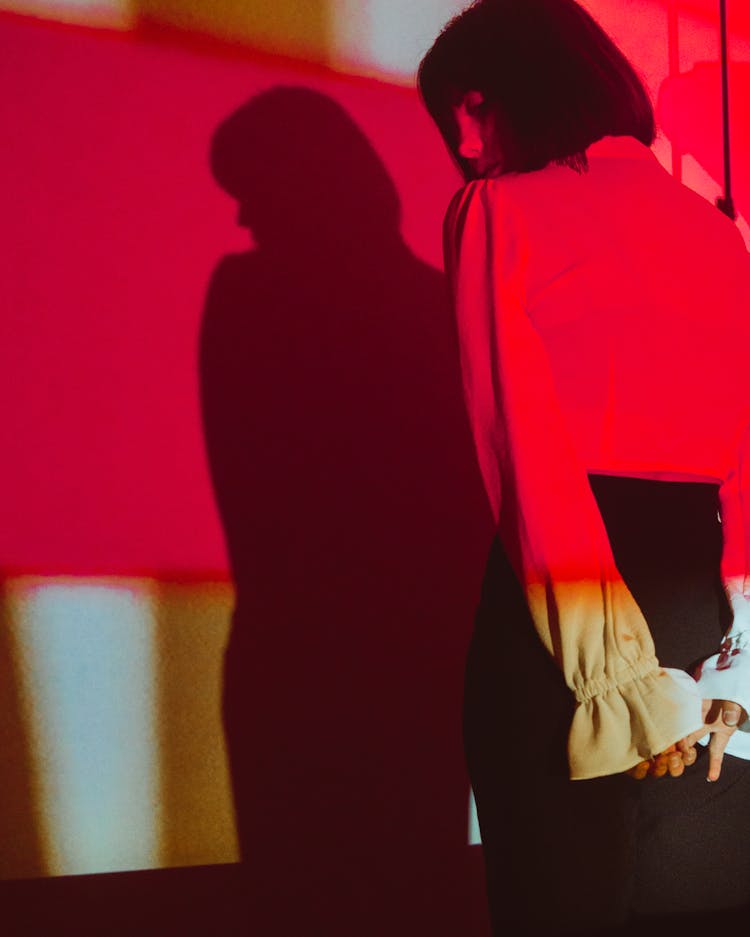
(726,675)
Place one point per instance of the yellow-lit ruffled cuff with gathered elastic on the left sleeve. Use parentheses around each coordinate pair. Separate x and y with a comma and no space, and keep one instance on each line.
(618,723)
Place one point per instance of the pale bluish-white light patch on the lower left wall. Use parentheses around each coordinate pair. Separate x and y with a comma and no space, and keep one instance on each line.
(86,656)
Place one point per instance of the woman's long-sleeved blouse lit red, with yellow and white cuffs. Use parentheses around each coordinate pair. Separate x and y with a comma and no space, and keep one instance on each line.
(604,327)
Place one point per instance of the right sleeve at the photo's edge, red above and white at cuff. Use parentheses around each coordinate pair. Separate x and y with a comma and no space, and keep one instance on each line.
(726,675)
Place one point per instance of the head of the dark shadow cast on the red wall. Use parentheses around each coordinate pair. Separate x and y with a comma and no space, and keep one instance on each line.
(292,158)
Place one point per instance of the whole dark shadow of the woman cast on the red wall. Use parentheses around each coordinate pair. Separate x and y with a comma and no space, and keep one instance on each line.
(356,525)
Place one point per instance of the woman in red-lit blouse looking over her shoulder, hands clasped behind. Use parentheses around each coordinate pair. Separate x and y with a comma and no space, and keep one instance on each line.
(603,321)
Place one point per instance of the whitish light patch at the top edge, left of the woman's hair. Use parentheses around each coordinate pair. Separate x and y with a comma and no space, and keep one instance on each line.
(387,37)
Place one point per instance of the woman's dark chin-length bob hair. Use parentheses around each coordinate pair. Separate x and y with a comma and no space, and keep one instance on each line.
(551,76)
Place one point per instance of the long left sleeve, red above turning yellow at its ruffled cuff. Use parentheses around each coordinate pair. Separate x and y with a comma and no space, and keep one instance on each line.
(628,707)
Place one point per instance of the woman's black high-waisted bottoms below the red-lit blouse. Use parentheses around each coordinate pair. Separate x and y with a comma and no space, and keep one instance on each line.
(567,856)
